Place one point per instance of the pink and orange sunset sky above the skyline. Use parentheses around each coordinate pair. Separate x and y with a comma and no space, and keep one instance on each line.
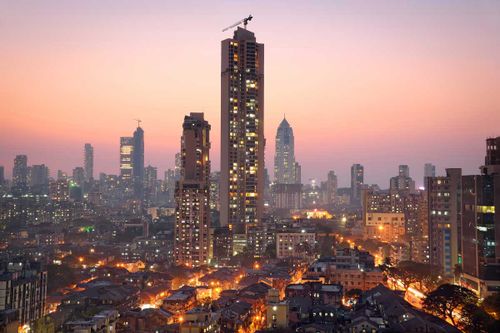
(379,83)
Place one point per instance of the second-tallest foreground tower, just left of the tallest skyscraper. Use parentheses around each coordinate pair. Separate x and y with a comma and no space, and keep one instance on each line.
(192,194)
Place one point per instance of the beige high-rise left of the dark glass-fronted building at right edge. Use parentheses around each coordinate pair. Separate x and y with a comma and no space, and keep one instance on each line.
(444,198)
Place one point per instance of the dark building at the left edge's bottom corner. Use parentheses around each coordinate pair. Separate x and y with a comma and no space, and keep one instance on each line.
(23,288)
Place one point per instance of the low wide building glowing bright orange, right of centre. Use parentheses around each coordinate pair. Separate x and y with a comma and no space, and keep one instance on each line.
(386,227)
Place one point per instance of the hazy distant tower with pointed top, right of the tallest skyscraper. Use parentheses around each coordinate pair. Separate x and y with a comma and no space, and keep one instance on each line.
(284,158)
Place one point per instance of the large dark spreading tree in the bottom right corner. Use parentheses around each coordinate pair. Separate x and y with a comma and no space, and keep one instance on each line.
(447,300)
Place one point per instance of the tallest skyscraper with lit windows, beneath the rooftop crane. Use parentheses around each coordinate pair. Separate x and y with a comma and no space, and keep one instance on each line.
(242,134)
